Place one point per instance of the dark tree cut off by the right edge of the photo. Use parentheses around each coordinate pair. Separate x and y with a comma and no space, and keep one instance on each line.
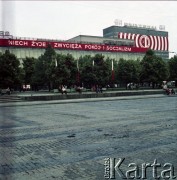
(173,69)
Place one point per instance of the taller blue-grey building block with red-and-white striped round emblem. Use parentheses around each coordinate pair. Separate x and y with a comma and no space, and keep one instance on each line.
(144,36)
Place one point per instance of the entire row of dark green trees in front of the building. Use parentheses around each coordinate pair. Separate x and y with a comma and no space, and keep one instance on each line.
(53,69)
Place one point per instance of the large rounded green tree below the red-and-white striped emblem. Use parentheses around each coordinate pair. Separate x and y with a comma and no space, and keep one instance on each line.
(154,69)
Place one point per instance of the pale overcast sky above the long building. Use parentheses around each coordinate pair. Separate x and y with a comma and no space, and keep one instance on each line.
(66,19)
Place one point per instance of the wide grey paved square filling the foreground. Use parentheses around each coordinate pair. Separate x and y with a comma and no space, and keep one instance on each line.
(71,140)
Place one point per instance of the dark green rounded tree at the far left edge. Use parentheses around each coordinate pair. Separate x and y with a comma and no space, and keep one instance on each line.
(10,71)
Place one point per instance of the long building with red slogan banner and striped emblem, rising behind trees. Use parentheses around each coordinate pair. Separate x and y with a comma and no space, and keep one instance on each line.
(117,42)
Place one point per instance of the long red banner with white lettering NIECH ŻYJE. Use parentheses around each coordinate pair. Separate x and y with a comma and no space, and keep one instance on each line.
(69,46)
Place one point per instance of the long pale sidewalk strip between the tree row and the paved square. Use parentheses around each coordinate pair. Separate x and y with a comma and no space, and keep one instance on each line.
(36,98)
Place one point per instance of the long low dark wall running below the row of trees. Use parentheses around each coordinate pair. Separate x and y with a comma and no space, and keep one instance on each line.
(91,95)
